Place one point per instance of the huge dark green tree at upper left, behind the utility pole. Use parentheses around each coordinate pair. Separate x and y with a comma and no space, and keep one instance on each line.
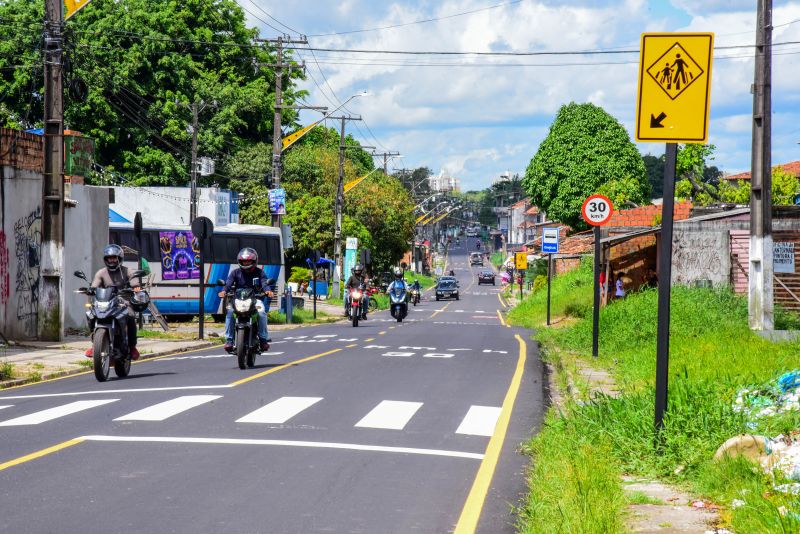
(138,58)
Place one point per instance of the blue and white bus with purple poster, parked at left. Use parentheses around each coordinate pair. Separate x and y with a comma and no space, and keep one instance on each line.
(172,289)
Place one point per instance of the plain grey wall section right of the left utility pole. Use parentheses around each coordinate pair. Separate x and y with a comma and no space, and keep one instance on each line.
(85,235)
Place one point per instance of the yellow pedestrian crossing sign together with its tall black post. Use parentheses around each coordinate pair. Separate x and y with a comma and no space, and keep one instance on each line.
(672,107)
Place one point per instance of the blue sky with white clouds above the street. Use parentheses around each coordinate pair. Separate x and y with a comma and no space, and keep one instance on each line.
(477,117)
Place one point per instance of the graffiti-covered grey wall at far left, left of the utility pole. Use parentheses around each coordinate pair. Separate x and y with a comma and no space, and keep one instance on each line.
(20,245)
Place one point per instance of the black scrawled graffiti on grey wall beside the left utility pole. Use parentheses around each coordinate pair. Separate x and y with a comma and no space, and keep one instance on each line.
(27,242)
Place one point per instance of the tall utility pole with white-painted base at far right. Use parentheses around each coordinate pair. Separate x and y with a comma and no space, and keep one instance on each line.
(761,259)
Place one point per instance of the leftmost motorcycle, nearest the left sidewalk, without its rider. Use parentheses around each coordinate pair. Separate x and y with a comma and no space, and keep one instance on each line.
(107,315)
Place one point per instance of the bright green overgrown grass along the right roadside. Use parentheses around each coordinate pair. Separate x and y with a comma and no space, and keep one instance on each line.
(584,448)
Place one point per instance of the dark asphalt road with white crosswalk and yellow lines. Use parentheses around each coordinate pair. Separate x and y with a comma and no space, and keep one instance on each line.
(387,427)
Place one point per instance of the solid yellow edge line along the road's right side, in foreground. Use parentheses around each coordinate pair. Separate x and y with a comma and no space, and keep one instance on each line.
(471,513)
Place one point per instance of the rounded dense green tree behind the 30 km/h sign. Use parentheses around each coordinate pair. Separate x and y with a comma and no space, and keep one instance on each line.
(585,148)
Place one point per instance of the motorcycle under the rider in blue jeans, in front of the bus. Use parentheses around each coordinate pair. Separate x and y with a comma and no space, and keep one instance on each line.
(246,303)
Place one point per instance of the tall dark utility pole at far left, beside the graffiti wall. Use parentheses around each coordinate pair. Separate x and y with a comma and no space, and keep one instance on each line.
(51,303)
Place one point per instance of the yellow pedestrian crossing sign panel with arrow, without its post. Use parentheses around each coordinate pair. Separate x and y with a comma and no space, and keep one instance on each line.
(674,87)
